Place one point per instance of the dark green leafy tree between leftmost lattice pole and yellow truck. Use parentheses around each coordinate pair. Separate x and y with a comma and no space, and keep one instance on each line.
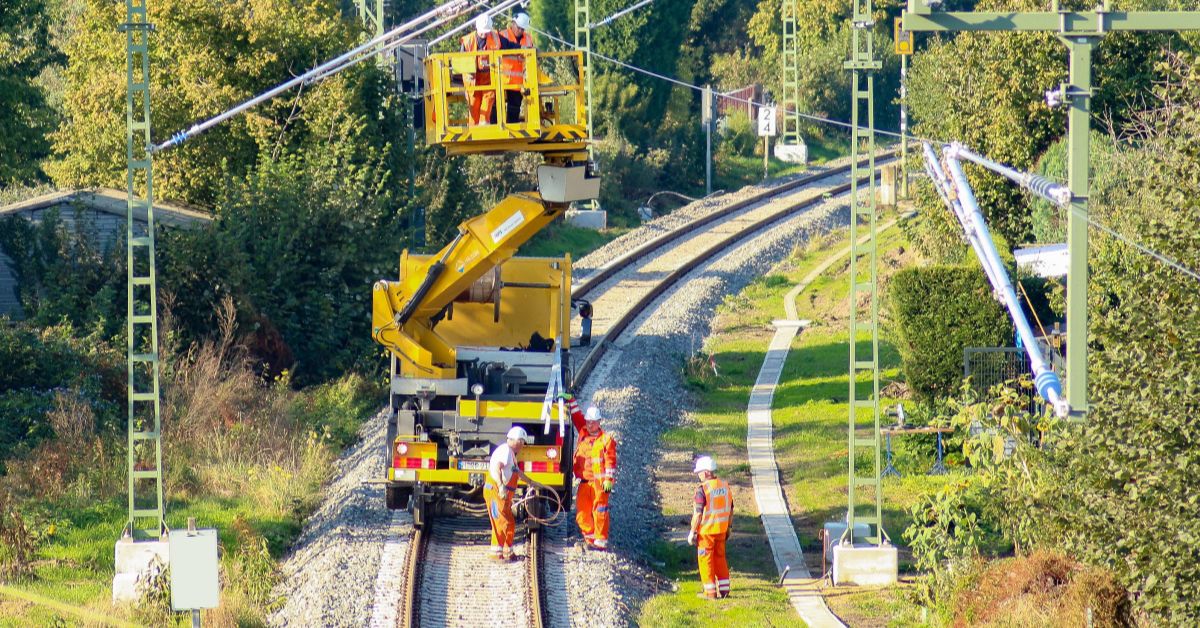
(298,246)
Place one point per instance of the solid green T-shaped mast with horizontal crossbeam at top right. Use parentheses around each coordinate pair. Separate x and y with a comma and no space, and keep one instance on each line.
(1082,32)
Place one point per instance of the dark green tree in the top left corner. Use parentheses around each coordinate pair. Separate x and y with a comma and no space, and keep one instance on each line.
(26,117)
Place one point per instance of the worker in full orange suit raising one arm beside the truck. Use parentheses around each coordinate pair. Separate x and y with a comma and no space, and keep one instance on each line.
(596,468)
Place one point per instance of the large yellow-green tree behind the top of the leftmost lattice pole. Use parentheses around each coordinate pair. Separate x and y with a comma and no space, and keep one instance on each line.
(206,58)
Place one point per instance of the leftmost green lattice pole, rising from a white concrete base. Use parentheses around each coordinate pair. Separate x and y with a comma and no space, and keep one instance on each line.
(145,440)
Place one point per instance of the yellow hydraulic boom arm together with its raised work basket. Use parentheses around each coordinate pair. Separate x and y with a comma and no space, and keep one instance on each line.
(406,312)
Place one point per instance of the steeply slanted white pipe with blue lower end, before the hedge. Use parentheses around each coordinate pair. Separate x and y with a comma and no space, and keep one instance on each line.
(1045,378)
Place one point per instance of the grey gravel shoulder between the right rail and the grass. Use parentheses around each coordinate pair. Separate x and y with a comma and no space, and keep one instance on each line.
(639,386)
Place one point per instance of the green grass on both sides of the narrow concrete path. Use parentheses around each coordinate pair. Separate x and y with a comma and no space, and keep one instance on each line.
(811,415)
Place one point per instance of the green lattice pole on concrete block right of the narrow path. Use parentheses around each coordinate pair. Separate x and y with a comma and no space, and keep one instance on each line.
(863,440)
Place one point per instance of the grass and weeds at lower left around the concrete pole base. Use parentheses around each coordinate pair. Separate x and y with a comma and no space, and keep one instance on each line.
(253,505)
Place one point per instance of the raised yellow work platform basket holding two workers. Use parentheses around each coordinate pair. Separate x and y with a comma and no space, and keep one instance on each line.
(554,116)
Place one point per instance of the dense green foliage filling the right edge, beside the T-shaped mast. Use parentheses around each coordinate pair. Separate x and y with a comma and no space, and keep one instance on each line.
(1129,497)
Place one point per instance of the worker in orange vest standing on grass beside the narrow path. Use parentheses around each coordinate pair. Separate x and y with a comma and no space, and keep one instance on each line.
(711,528)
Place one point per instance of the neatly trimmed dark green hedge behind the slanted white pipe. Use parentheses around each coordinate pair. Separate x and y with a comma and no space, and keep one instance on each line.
(937,313)
